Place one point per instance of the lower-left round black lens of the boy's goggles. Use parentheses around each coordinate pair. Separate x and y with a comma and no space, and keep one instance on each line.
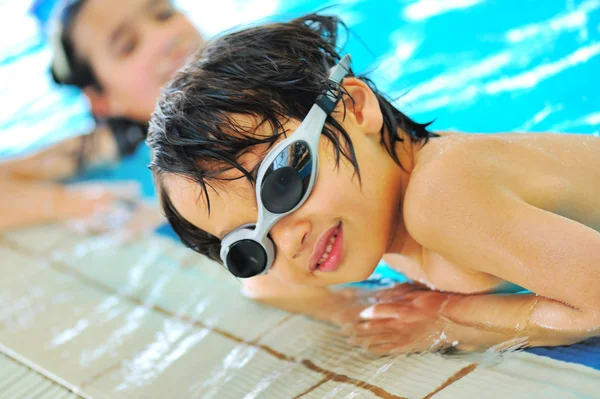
(246,258)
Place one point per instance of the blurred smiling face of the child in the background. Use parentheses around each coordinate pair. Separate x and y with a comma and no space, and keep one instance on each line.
(134,47)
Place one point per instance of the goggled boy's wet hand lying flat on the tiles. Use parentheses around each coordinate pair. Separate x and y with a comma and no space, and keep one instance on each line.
(402,319)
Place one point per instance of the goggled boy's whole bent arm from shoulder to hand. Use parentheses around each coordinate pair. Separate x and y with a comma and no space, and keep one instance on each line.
(484,227)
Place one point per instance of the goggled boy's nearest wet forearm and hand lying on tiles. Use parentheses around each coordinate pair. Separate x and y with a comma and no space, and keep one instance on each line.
(431,320)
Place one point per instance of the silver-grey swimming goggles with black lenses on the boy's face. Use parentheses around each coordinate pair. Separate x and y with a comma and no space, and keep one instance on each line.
(284,181)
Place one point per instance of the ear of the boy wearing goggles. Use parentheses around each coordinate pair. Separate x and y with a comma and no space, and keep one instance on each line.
(363,105)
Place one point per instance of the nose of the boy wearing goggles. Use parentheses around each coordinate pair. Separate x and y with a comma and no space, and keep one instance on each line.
(290,236)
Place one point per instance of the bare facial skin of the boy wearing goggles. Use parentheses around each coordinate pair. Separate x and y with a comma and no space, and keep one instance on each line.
(367,212)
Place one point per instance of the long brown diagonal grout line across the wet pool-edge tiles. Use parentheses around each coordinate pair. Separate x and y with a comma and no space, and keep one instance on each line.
(59,266)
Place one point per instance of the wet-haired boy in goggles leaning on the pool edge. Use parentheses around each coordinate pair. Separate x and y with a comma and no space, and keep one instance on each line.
(235,158)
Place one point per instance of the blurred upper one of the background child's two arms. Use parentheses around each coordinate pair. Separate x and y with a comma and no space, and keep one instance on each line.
(62,160)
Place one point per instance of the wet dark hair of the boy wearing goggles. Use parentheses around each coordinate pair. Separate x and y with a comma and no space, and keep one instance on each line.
(272,73)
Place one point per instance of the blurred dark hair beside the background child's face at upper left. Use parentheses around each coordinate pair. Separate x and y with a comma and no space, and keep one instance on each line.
(72,69)
